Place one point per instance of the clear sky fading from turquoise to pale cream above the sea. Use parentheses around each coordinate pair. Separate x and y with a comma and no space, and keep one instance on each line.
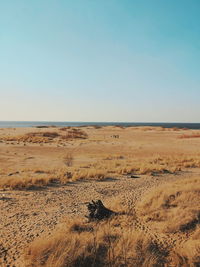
(100,60)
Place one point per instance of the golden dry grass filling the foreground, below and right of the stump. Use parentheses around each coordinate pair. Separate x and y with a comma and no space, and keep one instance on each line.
(116,242)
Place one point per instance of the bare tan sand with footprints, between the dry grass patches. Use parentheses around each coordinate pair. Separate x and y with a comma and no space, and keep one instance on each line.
(27,214)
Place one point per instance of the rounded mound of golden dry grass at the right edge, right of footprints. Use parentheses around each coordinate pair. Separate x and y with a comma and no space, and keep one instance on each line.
(175,208)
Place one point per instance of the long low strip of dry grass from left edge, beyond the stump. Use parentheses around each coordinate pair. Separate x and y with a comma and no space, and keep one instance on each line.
(30,178)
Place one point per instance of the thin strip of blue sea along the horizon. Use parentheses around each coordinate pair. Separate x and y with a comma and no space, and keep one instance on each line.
(16,124)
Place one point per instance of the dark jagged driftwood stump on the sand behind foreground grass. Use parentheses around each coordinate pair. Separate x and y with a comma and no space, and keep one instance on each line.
(97,211)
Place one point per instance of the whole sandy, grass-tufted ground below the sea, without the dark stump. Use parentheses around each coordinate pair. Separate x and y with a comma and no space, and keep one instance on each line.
(149,174)
